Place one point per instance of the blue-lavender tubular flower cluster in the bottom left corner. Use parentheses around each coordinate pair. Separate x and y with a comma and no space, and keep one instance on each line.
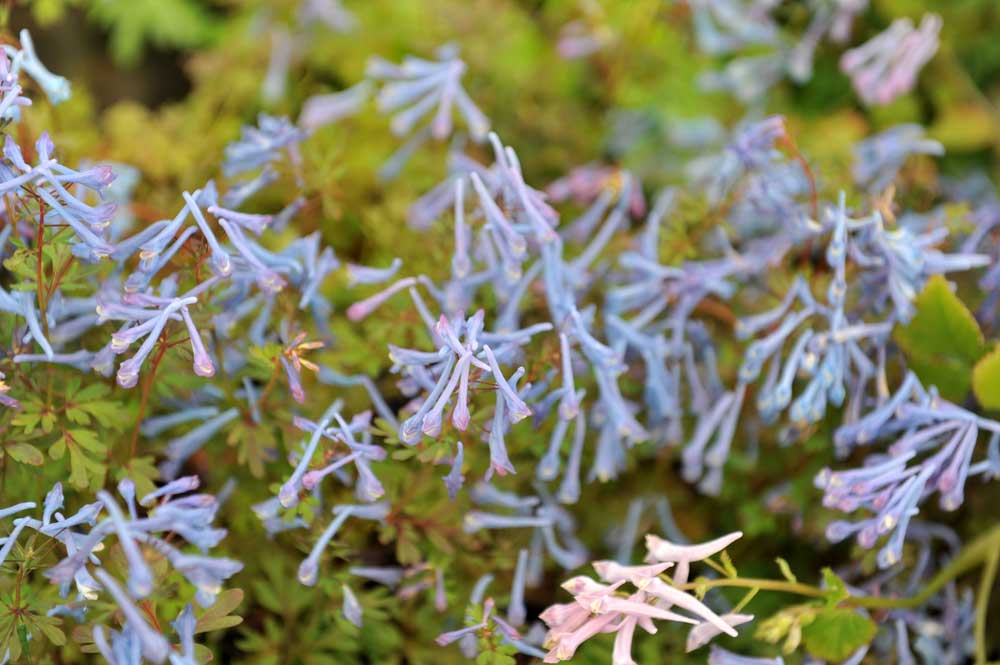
(142,541)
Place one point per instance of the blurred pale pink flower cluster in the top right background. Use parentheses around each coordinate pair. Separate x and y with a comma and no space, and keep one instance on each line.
(886,67)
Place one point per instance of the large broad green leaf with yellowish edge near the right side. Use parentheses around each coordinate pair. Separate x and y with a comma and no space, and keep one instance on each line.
(943,341)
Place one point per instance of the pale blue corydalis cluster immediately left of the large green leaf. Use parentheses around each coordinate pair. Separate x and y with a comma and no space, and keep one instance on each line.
(895,265)
